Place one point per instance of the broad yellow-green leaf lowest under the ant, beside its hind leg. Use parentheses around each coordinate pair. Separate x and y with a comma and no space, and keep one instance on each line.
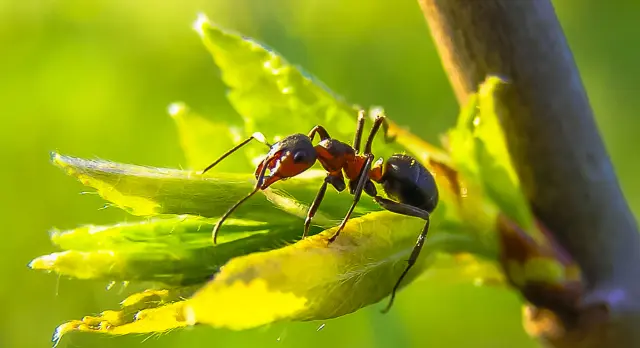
(358,269)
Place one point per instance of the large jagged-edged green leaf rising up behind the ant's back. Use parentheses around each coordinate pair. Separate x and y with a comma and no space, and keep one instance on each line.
(274,97)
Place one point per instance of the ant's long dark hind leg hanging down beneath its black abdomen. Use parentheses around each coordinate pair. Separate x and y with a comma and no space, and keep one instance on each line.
(405,209)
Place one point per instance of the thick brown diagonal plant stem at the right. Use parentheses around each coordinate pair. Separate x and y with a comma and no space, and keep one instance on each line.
(552,138)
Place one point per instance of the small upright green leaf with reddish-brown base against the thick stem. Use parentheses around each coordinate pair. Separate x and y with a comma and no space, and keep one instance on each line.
(532,260)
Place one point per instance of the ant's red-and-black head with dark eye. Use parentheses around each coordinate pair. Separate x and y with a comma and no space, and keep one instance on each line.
(286,159)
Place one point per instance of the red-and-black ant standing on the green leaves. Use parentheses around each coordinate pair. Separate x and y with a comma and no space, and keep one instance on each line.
(402,177)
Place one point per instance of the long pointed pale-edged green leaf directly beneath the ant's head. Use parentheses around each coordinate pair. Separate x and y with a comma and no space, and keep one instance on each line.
(146,191)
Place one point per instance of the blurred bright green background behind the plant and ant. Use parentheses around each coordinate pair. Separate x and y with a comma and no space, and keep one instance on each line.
(94,78)
